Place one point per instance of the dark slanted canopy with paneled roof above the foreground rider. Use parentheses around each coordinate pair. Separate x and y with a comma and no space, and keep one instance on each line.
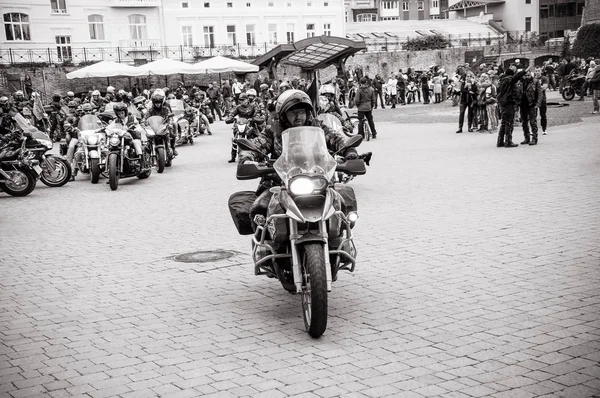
(312,53)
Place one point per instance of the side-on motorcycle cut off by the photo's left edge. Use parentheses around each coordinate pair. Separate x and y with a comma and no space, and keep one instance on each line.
(19,170)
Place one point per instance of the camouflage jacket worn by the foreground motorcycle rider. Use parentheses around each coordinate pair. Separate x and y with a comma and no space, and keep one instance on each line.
(269,142)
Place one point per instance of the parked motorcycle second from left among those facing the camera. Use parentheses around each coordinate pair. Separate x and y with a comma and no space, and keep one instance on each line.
(122,160)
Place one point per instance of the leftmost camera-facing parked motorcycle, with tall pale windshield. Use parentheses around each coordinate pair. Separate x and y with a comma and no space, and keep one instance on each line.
(91,154)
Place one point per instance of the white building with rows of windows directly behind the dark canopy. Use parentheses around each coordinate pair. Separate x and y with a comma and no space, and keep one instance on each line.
(248,27)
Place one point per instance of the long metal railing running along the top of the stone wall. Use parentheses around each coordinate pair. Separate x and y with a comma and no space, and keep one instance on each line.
(511,42)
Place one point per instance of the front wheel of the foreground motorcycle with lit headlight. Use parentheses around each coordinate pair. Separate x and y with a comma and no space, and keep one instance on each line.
(314,289)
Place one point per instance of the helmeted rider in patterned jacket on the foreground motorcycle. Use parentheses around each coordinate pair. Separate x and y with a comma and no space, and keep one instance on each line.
(294,109)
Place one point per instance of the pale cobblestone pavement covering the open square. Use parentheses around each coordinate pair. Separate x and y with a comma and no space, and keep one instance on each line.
(478,276)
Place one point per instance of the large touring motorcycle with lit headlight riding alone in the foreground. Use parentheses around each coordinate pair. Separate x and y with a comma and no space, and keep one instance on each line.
(306,237)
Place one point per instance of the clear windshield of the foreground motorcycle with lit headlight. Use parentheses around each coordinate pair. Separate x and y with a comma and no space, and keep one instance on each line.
(304,151)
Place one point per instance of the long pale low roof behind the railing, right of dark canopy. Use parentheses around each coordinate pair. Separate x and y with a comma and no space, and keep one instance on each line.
(400,30)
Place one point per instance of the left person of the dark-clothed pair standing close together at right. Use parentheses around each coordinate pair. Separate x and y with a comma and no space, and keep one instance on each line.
(506,101)
